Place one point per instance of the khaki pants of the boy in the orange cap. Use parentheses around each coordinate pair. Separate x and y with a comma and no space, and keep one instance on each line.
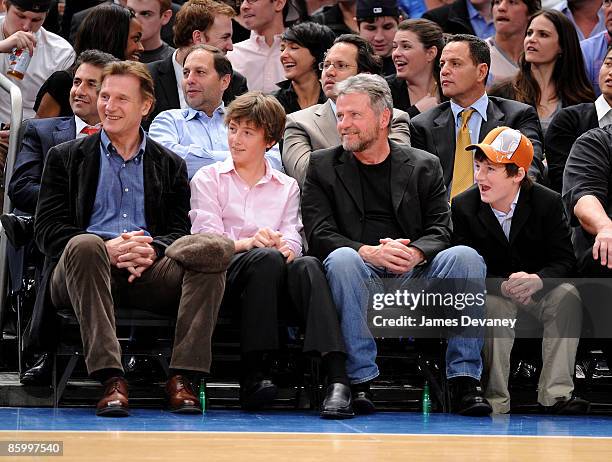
(560,311)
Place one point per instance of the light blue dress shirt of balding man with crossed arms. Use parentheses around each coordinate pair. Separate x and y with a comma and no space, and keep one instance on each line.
(197,138)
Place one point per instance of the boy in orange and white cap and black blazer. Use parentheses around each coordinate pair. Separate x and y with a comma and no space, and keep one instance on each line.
(521,230)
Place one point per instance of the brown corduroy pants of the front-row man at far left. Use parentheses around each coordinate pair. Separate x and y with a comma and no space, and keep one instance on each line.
(85,280)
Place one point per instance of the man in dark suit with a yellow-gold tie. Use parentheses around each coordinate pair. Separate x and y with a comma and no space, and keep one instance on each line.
(470,114)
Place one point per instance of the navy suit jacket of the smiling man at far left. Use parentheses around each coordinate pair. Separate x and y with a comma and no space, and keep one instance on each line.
(40,135)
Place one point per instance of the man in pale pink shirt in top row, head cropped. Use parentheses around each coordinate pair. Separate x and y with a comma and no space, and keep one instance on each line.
(258,57)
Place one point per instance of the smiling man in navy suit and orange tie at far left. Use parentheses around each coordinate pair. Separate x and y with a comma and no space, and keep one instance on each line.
(42,134)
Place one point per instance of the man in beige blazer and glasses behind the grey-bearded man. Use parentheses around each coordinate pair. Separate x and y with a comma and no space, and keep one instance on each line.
(315,127)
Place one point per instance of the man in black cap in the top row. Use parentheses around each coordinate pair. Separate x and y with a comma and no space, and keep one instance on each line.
(377,21)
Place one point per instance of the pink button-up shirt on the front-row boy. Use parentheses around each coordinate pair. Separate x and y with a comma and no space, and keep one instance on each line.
(222,203)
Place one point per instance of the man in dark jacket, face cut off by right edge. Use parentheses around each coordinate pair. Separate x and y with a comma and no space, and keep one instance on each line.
(571,122)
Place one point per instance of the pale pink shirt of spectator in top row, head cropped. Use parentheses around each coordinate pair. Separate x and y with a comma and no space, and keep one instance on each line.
(258,62)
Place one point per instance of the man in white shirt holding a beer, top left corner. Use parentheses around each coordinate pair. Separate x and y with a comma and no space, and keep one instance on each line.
(21,28)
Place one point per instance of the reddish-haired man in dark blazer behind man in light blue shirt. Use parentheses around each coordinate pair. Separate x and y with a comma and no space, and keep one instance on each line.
(195,24)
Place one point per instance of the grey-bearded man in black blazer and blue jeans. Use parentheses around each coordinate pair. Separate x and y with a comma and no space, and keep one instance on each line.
(372,209)
